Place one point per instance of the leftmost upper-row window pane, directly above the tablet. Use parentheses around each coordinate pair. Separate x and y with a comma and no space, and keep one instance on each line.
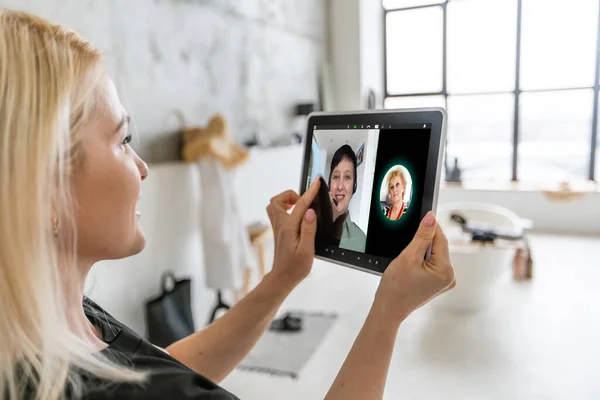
(414,51)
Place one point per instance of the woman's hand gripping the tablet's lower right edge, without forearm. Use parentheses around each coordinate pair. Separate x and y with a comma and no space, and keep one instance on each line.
(410,281)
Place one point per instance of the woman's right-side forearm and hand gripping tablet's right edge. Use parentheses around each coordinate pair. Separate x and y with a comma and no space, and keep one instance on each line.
(407,284)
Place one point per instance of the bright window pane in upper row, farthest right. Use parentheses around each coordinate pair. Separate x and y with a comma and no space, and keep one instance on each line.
(558,48)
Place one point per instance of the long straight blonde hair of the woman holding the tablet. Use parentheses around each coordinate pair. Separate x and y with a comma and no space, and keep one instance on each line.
(48,75)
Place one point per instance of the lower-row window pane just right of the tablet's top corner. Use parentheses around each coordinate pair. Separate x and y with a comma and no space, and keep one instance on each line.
(480,136)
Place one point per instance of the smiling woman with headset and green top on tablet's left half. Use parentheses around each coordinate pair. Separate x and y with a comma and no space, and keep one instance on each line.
(342,186)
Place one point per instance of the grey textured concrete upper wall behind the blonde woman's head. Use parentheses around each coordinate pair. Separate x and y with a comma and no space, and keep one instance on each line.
(251,60)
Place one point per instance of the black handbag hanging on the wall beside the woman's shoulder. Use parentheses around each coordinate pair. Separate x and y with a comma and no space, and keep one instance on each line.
(169,316)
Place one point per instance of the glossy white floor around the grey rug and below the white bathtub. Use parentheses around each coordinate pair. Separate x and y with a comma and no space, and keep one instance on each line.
(536,340)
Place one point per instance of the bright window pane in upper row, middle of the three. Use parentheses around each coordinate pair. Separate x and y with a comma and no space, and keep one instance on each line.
(482,45)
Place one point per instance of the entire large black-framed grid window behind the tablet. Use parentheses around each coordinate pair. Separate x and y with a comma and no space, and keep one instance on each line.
(519,79)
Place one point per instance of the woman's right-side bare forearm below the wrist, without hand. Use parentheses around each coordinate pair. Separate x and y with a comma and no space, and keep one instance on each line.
(364,372)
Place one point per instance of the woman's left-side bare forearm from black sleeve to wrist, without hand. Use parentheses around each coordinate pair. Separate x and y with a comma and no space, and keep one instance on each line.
(216,350)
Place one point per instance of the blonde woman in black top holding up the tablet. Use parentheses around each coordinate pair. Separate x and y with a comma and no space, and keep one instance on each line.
(69,184)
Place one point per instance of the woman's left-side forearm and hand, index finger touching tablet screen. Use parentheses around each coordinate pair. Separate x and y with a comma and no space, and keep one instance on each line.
(215,351)
